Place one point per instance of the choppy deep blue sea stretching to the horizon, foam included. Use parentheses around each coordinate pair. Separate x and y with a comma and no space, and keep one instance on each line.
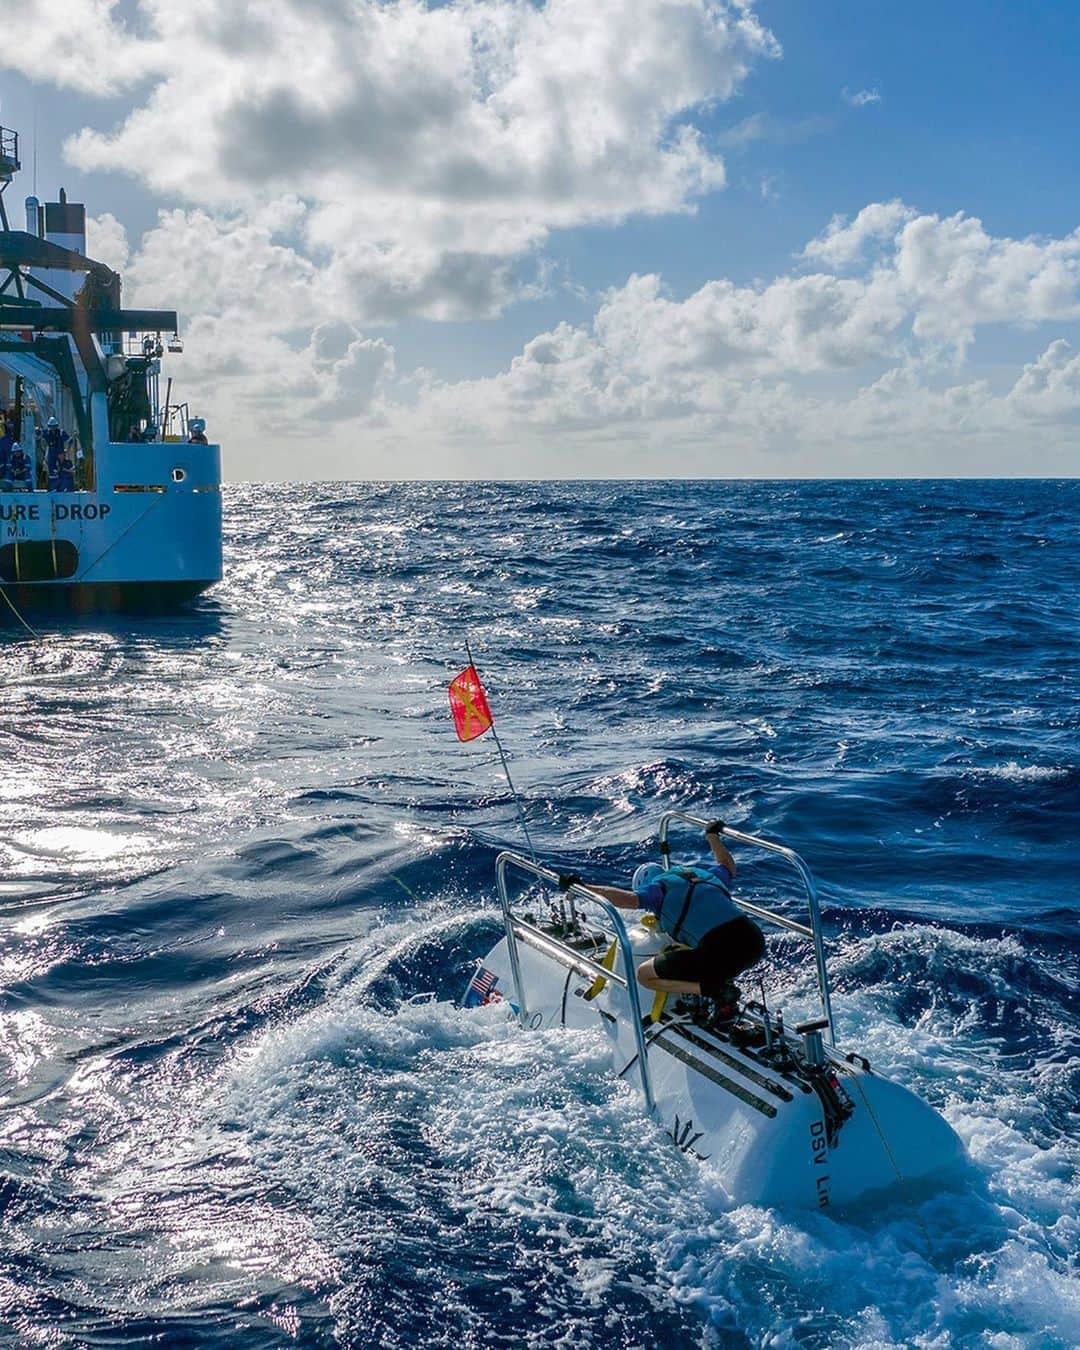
(236,844)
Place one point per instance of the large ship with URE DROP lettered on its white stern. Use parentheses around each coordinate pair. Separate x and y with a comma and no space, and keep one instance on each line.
(110,489)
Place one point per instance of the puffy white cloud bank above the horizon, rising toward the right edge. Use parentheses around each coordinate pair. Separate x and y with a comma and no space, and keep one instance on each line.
(799,372)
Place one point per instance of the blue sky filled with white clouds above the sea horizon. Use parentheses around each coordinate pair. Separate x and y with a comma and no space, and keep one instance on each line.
(583,238)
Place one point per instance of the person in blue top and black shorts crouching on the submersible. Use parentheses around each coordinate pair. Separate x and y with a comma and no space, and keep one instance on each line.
(695,907)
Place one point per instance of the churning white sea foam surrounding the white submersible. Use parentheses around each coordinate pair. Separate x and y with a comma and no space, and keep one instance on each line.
(537,1150)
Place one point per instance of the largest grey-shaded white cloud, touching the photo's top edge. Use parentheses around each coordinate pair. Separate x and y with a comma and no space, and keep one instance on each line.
(433,145)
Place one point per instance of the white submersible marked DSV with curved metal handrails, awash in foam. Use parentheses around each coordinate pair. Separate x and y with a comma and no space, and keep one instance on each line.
(785,1120)
